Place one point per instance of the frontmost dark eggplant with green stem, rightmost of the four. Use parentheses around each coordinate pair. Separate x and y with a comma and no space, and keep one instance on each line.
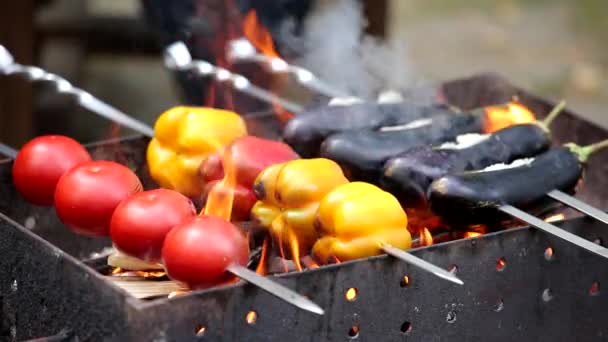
(473,197)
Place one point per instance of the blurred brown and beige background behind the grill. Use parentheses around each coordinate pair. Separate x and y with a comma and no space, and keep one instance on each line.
(113,49)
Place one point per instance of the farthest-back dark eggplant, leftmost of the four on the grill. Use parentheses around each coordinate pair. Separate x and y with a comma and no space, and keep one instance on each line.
(305,133)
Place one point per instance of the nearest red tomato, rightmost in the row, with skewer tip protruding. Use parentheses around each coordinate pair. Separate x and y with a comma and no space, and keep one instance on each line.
(198,251)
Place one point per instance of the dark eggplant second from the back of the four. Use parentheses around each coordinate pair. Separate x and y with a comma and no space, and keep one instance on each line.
(362,154)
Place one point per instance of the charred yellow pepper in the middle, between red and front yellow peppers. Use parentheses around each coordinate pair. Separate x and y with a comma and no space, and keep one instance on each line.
(289,196)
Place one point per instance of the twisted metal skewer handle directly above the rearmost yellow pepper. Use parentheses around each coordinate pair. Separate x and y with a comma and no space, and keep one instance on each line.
(177,57)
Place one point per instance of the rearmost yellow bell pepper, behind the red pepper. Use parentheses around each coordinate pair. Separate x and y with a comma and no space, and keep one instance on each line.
(183,138)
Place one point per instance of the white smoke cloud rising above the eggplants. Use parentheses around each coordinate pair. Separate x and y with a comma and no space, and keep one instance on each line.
(335,47)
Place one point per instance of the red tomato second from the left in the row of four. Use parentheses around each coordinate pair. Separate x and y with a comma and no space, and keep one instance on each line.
(87,195)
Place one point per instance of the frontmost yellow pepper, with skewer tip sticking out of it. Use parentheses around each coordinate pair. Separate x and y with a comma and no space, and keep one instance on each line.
(355,220)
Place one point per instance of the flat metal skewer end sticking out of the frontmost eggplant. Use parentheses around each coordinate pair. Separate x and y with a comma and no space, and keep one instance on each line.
(553,230)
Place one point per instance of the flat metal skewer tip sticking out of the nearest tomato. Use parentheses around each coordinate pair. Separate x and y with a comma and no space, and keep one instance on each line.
(275,289)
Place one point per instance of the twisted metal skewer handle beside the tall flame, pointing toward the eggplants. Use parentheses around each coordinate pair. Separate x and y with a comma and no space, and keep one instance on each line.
(241,50)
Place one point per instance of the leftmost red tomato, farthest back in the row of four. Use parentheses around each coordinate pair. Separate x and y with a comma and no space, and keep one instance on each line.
(41,162)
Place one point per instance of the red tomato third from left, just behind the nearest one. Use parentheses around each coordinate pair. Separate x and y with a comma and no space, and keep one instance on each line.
(141,222)
